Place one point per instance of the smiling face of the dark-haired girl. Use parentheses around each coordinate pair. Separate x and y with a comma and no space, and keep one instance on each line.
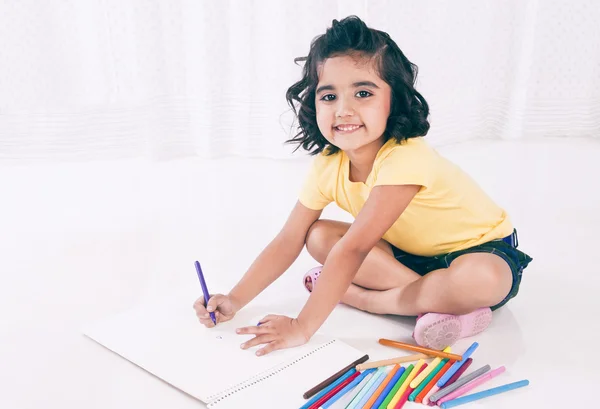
(352,103)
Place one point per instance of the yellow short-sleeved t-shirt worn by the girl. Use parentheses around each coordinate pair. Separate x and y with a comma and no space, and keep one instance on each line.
(450,212)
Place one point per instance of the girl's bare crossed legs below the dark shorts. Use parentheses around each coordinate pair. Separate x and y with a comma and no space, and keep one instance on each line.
(472,281)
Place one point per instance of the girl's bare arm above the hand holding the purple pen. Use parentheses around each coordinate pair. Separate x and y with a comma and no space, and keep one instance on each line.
(276,258)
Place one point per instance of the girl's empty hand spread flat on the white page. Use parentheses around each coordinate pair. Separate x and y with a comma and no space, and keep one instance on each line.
(277,332)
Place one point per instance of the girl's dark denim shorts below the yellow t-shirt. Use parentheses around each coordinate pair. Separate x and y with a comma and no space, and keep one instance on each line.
(505,248)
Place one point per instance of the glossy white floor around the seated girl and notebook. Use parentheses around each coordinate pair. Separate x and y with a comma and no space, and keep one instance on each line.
(82,241)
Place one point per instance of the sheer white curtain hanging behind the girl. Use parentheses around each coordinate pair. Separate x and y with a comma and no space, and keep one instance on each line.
(103,79)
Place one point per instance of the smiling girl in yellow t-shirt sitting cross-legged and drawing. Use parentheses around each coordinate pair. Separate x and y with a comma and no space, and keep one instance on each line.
(426,240)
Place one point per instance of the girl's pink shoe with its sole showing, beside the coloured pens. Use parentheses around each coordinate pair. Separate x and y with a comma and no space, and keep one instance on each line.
(439,331)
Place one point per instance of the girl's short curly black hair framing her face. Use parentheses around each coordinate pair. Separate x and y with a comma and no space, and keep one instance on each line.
(351,36)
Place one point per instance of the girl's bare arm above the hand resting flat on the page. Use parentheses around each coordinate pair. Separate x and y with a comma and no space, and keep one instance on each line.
(383,207)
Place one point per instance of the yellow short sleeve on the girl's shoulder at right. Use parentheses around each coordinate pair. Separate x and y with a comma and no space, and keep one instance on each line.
(410,164)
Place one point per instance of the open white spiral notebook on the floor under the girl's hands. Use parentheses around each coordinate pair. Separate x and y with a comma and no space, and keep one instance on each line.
(165,339)
